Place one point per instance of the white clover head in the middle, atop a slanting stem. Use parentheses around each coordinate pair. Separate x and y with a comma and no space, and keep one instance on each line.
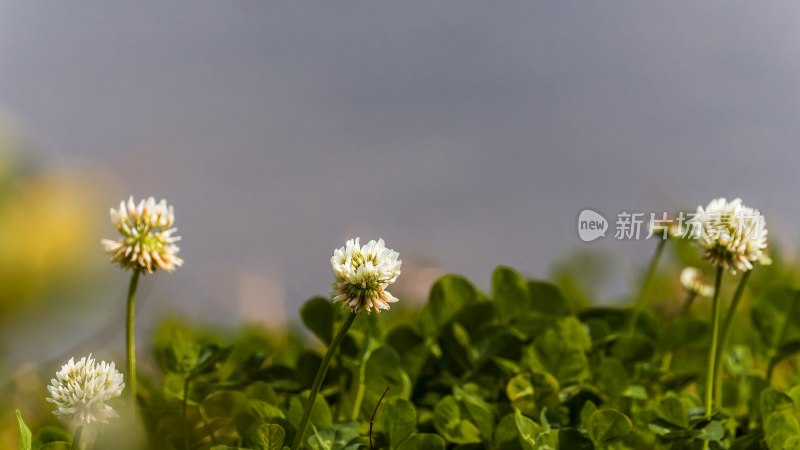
(363,274)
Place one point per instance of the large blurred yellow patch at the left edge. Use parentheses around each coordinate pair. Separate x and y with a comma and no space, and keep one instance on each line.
(46,235)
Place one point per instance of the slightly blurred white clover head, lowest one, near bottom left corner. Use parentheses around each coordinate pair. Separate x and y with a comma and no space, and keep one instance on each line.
(80,390)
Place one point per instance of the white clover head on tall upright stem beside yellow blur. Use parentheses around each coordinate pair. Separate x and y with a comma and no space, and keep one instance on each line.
(147,241)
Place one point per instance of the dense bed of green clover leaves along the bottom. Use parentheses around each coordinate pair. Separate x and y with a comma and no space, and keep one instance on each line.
(528,365)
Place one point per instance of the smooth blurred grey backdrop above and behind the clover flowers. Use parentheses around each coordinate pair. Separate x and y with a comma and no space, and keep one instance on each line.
(466,134)
